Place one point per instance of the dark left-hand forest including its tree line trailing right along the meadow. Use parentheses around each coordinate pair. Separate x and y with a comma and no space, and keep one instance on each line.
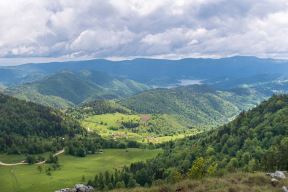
(28,128)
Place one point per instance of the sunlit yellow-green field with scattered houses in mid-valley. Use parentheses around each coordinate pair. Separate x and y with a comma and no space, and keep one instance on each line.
(153,128)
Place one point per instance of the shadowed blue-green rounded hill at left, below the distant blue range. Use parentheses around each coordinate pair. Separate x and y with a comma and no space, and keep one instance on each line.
(66,88)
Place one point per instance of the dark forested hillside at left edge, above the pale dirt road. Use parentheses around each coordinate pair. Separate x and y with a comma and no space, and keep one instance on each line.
(23,124)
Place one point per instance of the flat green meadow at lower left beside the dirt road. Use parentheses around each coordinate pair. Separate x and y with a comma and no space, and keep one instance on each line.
(27,178)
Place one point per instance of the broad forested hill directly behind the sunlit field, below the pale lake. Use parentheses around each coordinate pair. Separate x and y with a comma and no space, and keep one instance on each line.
(200,105)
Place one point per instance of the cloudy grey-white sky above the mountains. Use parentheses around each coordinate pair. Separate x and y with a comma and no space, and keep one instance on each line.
(143,28)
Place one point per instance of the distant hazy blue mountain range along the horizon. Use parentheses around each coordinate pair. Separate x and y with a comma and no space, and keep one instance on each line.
(157,72)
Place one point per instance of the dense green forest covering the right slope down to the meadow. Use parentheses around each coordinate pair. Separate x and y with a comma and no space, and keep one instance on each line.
(255,140)
